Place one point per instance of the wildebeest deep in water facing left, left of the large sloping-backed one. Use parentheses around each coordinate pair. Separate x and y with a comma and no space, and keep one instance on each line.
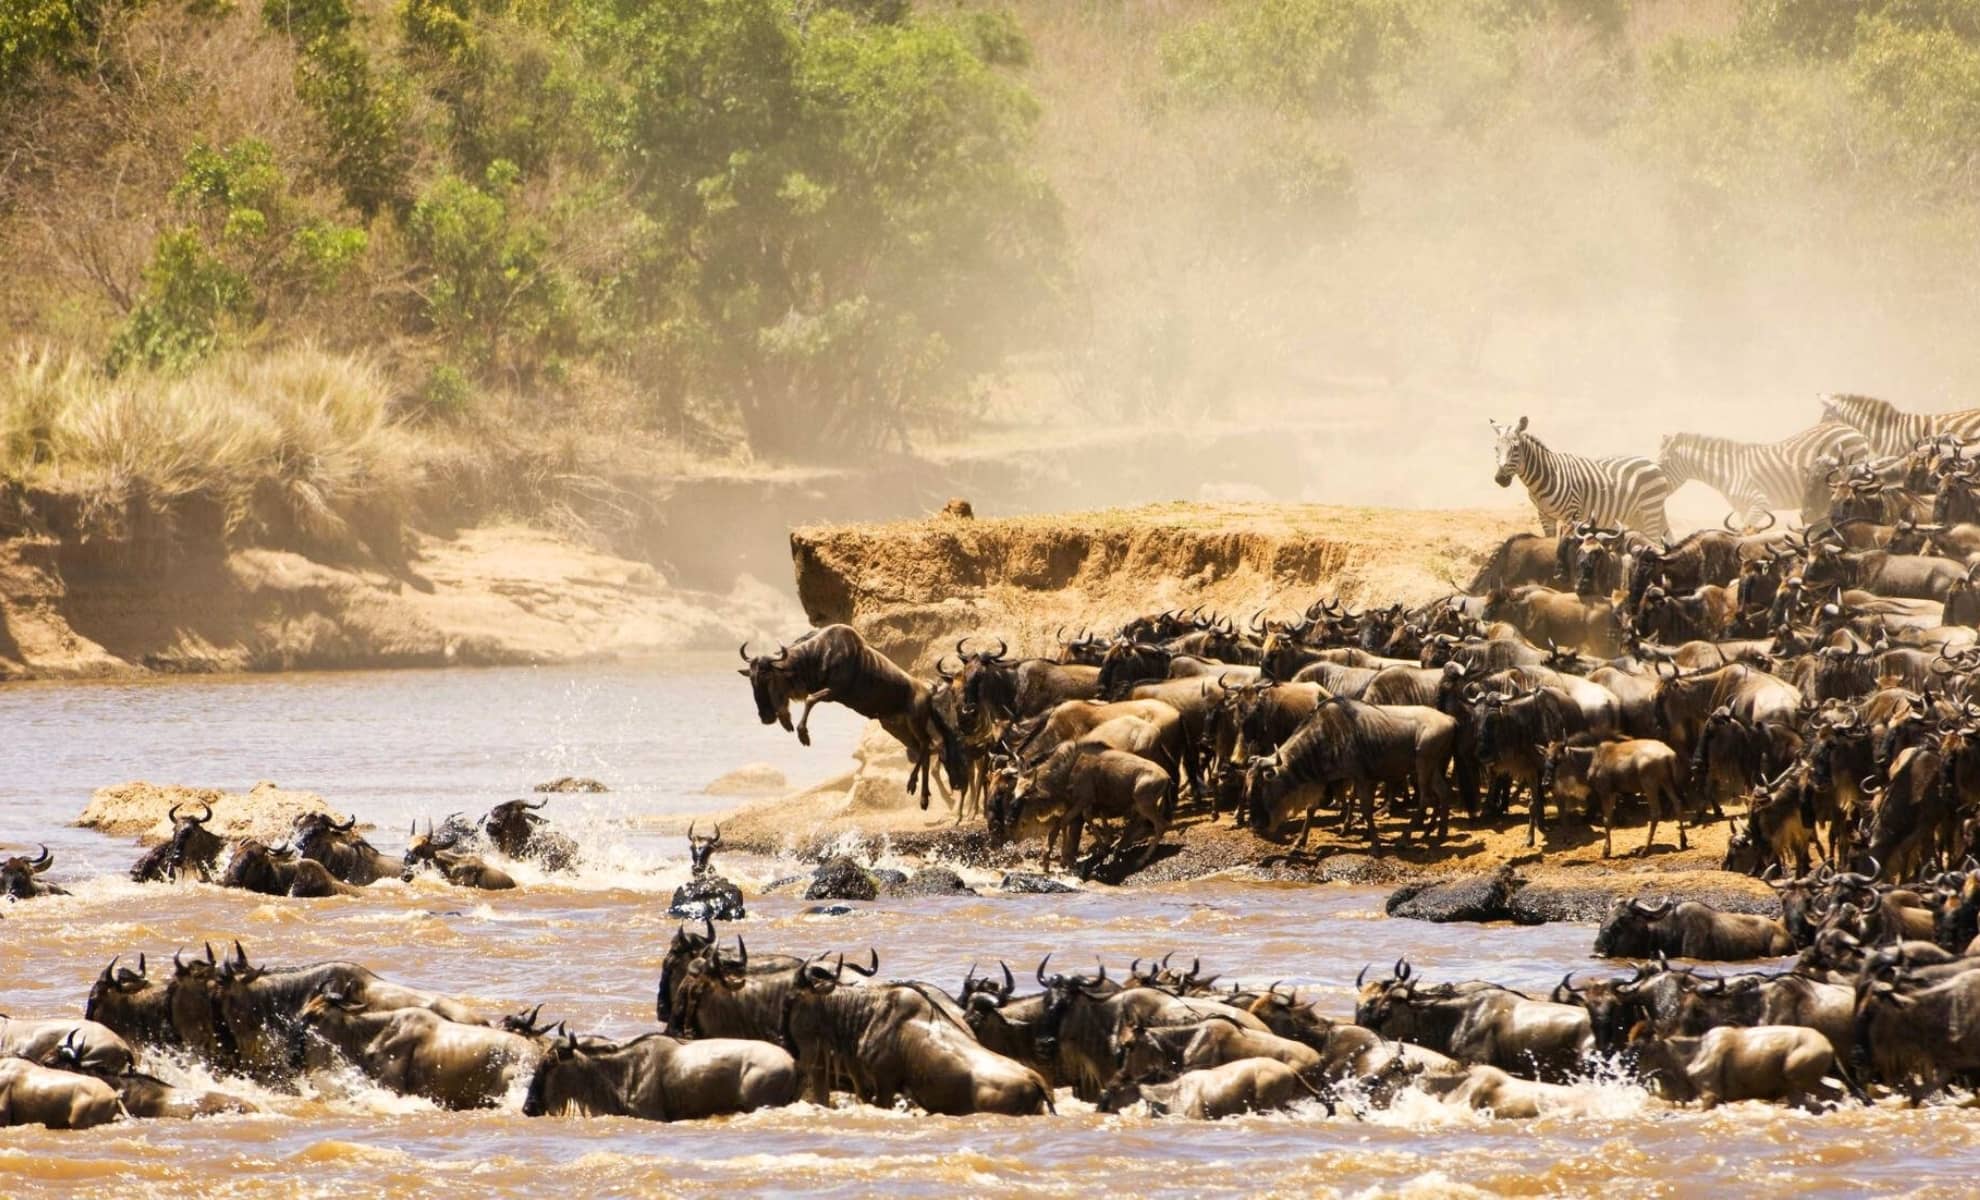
(660,1078)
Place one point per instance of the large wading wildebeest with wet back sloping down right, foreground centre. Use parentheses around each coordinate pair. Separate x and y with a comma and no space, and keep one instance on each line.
(898,1041)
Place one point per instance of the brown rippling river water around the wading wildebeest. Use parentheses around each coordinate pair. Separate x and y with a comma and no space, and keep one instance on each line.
(401,746)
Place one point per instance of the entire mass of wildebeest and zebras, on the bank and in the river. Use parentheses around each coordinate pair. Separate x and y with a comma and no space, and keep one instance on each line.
(1821,682)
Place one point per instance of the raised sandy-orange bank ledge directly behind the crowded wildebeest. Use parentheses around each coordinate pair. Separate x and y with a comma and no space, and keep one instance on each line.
(914,587)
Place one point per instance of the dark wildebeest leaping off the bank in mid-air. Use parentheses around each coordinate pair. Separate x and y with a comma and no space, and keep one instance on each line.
(837,664)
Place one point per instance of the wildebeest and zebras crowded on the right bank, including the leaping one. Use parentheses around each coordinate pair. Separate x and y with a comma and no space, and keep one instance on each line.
(1823,676)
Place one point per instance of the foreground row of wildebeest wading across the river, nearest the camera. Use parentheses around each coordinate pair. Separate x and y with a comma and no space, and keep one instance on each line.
(742,1033)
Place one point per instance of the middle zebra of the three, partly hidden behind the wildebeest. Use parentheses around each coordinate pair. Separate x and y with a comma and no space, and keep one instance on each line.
(1757,476)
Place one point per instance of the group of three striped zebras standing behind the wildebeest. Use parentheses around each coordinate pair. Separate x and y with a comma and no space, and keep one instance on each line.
(1629,492)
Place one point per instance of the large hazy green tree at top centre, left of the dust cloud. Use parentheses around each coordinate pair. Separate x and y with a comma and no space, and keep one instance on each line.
(868,239)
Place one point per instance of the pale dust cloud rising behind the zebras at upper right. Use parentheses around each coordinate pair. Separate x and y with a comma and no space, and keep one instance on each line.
(1539,223)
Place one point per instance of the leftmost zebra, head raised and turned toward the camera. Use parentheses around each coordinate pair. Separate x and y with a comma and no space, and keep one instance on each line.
(1567,488)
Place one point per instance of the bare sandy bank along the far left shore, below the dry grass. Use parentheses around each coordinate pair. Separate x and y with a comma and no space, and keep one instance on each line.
(498,595)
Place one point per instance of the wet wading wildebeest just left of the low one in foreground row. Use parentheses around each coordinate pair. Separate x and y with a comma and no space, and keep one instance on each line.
(419,1052)
